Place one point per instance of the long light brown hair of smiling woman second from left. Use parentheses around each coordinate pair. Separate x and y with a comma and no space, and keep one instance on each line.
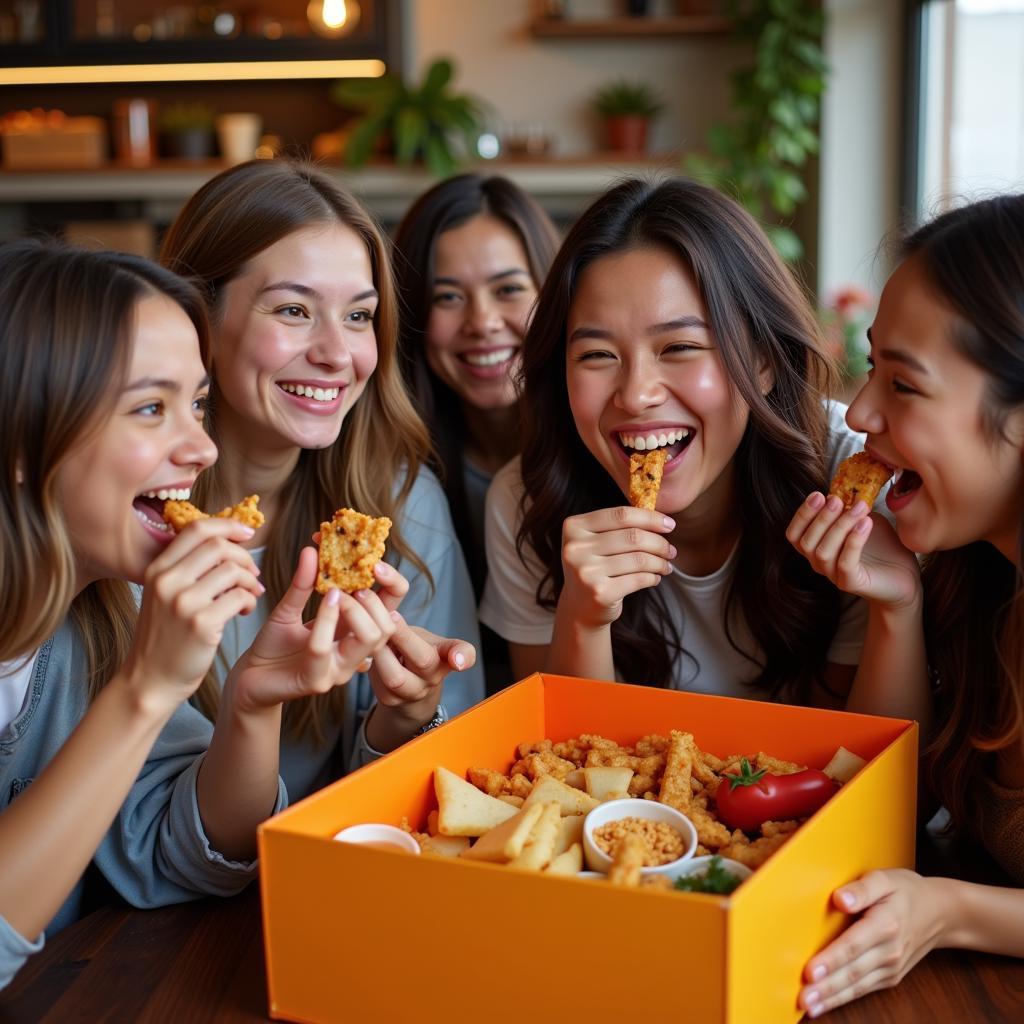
(233,219)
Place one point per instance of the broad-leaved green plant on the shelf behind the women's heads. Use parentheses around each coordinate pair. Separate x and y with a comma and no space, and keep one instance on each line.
(423,122)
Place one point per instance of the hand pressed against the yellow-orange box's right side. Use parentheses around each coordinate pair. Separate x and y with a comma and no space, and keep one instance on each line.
(903,921)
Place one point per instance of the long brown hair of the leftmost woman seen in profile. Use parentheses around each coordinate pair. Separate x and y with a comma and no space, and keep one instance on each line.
(66,336)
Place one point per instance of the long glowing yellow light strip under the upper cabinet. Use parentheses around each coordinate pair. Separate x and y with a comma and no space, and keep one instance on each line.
(239,71)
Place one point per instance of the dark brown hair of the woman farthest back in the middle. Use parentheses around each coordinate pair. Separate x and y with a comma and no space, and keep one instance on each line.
(449,205)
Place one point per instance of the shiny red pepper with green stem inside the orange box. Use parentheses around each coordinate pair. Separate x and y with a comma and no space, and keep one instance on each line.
(748,800)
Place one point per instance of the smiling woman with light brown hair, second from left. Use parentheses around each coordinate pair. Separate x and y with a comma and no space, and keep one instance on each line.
(310,411)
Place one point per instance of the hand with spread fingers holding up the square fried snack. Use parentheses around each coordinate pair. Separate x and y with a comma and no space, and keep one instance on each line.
(291,659)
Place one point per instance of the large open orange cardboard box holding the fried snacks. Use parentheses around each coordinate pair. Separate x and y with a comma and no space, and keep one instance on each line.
(356,934)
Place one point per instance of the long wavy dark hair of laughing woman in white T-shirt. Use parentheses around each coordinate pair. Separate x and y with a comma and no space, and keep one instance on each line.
(760,318)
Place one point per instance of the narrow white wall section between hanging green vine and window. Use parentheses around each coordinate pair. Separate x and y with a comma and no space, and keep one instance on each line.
(861,143)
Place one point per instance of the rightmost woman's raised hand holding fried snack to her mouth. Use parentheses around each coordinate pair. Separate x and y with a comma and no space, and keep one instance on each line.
(859,552)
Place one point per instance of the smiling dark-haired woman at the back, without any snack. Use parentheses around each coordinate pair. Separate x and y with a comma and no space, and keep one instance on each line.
(471,255)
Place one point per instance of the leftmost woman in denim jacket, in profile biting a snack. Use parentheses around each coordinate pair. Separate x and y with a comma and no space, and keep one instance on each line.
(101,760)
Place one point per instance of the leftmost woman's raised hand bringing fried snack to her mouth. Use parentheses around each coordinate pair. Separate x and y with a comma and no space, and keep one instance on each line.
(198,583)
